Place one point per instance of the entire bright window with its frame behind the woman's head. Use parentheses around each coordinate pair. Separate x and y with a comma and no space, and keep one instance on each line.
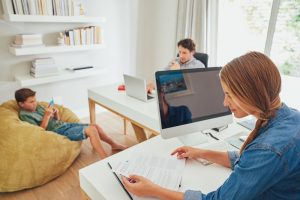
(270,26)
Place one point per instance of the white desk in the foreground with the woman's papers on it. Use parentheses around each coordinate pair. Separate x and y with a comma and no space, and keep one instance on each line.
(98,182)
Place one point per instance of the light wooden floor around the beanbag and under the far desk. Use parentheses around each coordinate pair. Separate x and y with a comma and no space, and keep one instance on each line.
(67,186)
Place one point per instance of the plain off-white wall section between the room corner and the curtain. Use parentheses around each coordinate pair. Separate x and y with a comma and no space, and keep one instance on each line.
(156,36)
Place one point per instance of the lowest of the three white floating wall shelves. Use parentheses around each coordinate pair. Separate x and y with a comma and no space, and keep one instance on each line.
(27,80)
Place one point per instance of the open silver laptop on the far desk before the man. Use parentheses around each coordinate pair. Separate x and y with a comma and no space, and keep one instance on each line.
(137,88)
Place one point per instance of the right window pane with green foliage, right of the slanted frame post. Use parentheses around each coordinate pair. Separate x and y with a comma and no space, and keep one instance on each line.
(285,51)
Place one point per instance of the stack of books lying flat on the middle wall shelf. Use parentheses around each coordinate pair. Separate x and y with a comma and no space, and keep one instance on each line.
(28,40)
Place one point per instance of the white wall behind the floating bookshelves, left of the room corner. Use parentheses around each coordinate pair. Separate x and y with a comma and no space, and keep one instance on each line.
(119,35)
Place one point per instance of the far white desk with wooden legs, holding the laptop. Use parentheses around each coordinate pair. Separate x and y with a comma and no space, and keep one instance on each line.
(142,115)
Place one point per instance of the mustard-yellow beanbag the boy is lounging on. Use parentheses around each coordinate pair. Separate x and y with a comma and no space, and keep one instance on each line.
(31,156)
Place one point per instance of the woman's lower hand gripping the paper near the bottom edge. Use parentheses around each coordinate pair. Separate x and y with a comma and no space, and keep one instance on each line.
(139,185)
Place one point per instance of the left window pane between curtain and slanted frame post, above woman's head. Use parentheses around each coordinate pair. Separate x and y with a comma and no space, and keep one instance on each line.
(242,27)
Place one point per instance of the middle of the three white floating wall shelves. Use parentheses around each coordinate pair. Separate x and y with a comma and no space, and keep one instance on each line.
(52,49)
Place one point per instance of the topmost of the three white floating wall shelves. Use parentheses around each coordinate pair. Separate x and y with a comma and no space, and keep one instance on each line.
(54,19)
